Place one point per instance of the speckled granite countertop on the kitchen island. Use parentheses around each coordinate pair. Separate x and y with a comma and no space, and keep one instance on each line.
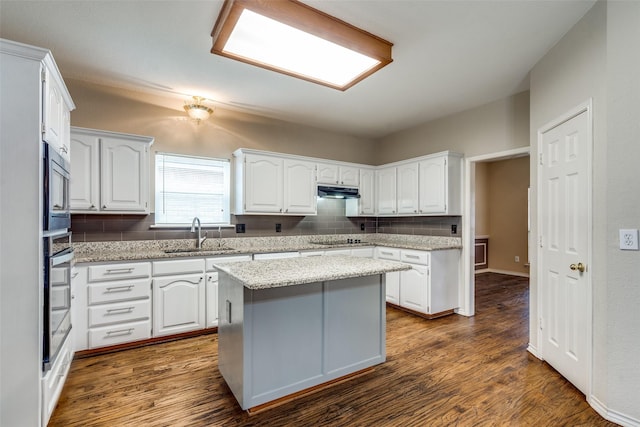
(264,274)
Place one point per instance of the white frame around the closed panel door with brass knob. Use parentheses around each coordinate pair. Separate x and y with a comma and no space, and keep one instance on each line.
(585,107)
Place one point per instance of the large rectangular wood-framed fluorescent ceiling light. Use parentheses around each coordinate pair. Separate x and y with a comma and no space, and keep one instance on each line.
(294,39)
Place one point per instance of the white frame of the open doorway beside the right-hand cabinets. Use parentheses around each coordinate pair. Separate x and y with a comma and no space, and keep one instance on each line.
(466,302)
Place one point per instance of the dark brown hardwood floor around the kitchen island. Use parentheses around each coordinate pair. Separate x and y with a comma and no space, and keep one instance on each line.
(452,371)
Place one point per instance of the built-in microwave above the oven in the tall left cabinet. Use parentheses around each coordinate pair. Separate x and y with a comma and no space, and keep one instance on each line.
(56,207)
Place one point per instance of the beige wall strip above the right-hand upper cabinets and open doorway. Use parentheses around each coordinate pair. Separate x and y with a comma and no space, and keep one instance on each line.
(498,126)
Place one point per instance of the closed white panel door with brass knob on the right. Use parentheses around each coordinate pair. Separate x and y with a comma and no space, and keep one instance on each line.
(565,211)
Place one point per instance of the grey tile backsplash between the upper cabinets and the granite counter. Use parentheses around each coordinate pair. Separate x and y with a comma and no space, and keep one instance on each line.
(330,219)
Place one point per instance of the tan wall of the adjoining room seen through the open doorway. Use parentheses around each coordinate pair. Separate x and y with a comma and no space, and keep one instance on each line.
(507,182)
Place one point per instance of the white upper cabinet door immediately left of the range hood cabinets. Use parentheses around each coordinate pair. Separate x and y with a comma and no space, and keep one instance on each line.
(299,187)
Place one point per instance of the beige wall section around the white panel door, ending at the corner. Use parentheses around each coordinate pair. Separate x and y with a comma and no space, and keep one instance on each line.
(571,73)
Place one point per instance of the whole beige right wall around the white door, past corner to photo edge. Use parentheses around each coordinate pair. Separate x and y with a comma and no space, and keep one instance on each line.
(598,60)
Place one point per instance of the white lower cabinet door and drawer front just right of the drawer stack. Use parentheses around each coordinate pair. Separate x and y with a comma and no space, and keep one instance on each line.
(178,296)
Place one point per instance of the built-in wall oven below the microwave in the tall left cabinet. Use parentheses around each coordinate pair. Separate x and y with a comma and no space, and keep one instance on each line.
(58,260)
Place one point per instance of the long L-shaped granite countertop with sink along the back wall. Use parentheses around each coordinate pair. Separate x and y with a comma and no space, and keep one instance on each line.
(179,248)
